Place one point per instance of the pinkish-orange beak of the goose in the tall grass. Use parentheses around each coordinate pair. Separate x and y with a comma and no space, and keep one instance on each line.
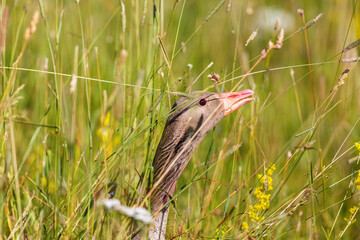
(234,100)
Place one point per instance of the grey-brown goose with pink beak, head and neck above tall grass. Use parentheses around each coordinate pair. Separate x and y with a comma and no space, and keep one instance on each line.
(191,119)
